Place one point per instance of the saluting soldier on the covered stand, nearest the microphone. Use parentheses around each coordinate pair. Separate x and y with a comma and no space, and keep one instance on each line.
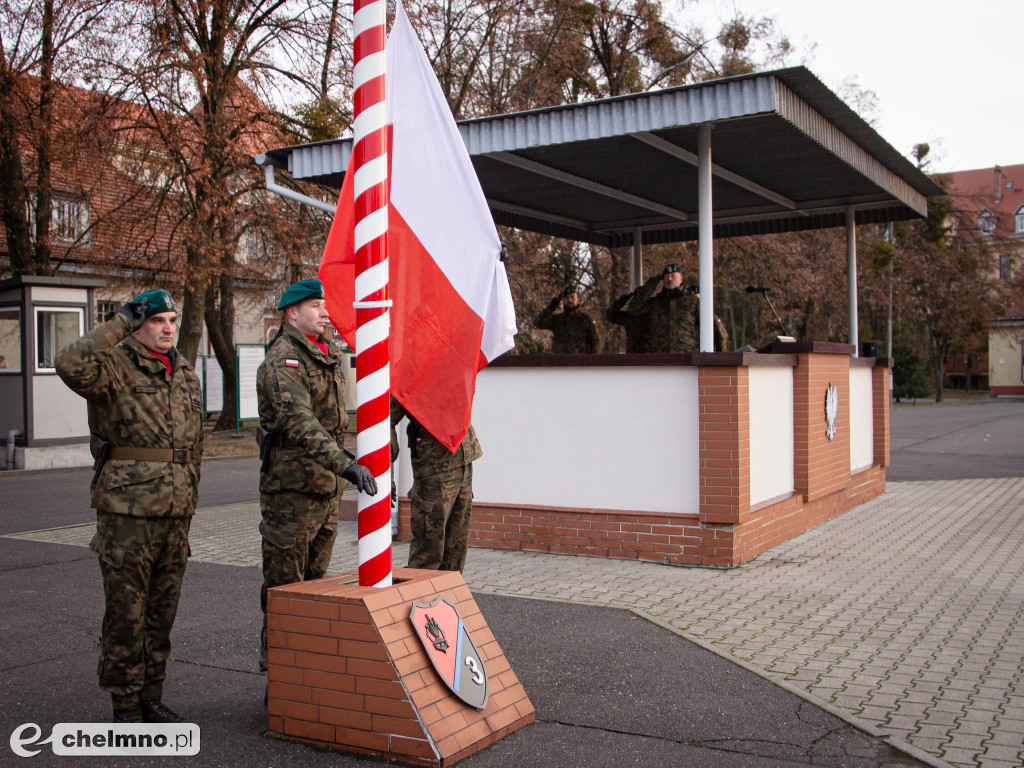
(673,316)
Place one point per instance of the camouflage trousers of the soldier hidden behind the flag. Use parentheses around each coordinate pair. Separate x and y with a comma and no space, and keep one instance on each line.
(442,510)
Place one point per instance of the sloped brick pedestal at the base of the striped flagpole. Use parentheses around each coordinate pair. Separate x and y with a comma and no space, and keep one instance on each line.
(347,670)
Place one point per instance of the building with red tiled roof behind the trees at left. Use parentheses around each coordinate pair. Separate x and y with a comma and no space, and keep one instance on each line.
(114,216)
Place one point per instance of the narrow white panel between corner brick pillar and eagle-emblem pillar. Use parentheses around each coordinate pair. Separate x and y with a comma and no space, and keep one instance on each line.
(772,433)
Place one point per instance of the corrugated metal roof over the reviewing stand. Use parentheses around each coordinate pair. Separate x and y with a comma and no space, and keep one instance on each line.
(788,155)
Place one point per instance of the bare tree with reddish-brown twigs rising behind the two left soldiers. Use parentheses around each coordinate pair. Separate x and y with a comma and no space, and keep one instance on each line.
(214,78)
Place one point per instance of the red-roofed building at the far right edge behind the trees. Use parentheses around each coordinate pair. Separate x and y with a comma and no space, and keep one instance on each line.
(990,203)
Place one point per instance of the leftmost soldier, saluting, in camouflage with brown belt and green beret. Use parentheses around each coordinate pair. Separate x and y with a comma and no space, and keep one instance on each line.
(146,415)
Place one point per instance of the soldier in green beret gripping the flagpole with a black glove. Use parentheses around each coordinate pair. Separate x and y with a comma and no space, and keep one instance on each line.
(302,392)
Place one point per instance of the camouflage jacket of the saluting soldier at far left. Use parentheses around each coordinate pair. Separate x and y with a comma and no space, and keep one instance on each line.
(135,404)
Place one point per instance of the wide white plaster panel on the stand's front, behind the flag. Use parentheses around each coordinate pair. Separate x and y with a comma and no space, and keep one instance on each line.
(586,438)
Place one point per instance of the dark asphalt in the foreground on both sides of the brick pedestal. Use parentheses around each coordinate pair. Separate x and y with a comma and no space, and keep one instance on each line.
(610,689)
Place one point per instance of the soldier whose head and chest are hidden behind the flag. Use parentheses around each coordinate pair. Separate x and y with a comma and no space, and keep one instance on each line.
(442,497)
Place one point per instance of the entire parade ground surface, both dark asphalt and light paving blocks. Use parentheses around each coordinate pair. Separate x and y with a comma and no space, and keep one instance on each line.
(674,674)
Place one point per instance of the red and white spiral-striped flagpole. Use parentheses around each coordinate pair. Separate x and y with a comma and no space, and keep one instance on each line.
(373,375)
